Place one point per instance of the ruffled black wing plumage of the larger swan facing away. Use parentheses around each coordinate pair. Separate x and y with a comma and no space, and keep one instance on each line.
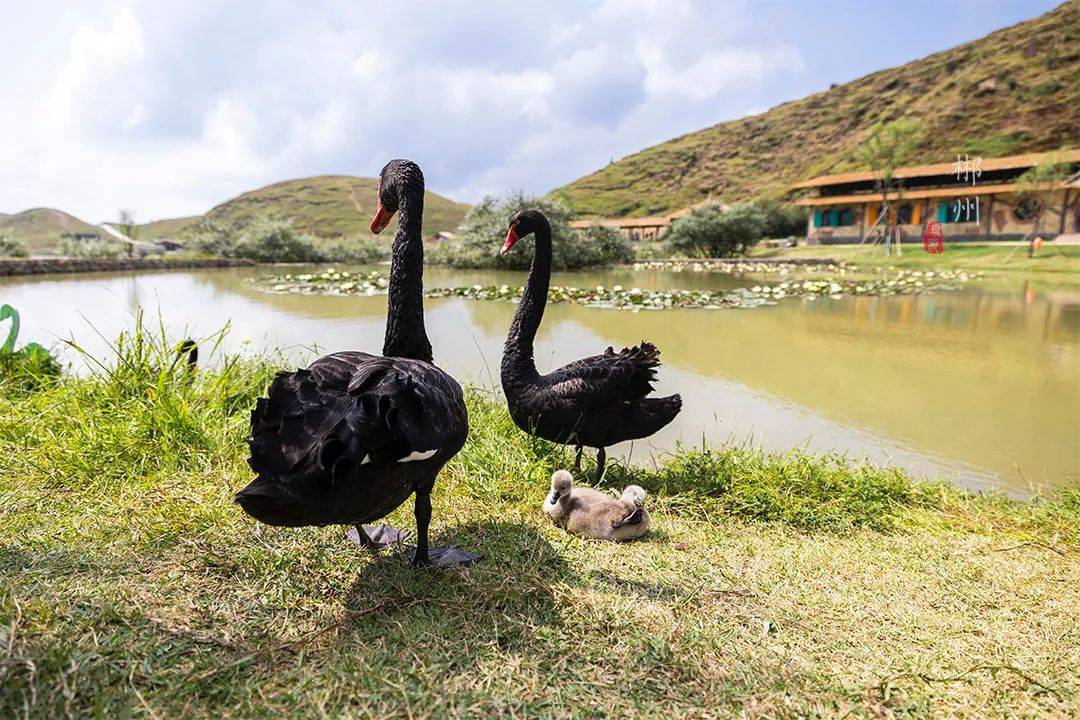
(318,429)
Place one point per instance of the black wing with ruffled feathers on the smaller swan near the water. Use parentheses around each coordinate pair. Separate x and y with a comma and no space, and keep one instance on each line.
(616,377)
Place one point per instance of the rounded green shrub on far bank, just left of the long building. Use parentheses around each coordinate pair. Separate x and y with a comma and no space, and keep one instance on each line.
(713,232)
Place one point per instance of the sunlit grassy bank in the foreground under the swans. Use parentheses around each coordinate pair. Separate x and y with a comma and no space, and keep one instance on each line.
(774,586)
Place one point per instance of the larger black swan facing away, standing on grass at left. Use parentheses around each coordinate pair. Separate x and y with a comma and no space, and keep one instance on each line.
(352,438)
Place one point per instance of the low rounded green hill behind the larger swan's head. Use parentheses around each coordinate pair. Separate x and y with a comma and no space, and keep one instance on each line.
(326,207)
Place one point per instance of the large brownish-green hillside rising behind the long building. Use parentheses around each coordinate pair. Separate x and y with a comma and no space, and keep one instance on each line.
(1015,91)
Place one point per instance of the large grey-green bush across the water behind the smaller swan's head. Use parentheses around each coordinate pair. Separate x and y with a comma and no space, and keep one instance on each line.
(482,235)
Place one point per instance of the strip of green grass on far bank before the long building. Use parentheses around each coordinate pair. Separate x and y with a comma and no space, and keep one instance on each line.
(1063,260)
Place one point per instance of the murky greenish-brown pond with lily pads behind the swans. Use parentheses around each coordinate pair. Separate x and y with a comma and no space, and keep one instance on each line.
(979,386)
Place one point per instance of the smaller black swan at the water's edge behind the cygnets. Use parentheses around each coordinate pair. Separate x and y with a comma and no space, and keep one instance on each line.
(596,402)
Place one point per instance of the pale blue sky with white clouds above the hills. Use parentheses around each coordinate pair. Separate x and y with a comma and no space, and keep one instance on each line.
(168,108)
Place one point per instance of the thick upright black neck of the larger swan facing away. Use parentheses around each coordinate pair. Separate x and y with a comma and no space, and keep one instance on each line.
(407,336)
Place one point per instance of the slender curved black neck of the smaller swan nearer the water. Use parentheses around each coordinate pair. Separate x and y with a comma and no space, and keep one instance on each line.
(519,364)
